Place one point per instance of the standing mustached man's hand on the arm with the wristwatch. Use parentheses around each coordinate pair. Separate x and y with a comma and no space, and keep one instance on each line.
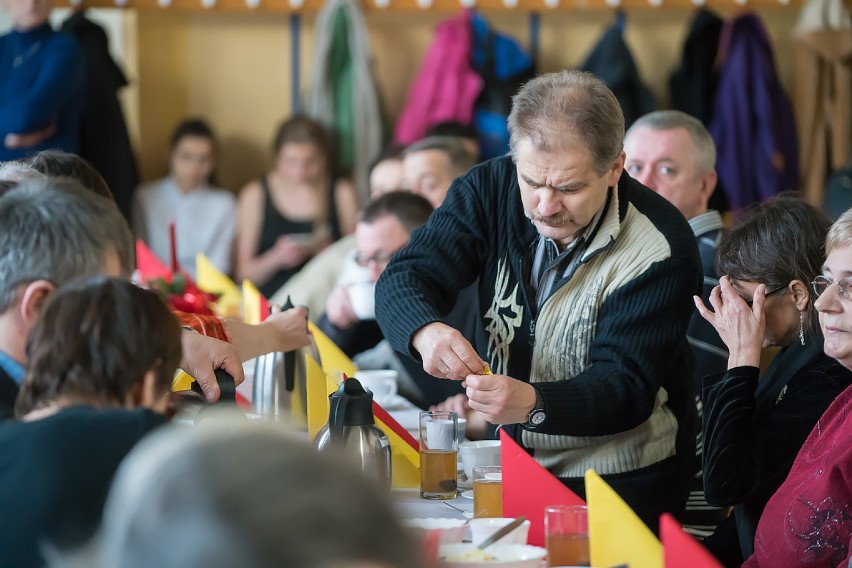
(502,399)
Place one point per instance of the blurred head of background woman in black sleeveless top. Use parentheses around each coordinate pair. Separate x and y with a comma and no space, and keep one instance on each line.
(302,151)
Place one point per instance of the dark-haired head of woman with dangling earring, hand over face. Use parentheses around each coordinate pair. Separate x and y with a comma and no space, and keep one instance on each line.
(779,244)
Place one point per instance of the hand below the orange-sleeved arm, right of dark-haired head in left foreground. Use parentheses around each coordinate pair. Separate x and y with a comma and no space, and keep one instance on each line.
(203,355)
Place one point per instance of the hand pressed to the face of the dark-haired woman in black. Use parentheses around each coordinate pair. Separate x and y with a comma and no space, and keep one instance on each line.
(741,327)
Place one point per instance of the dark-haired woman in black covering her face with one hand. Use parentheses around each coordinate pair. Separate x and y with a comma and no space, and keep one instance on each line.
(753,426)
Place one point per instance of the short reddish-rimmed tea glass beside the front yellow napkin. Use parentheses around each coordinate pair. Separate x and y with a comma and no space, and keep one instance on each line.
(566,535)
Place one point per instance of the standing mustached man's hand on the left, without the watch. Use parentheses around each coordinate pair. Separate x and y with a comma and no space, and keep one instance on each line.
(446,353)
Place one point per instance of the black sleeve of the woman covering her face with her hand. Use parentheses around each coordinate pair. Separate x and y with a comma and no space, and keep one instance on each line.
(742,460)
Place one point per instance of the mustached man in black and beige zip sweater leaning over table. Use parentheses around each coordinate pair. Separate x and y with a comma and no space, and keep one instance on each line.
(585,283)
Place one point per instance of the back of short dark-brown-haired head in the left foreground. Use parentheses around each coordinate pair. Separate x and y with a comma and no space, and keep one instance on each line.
(104,342)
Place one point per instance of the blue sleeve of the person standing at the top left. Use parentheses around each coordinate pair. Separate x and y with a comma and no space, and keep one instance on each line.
(59,79)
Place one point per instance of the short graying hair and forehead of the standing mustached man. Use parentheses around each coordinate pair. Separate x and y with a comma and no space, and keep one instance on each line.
(551,110)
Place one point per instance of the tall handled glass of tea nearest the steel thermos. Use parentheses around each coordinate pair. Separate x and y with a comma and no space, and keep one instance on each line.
(438,454)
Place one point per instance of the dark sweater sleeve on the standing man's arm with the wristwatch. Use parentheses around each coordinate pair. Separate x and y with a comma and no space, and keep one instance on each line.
(640,333)
